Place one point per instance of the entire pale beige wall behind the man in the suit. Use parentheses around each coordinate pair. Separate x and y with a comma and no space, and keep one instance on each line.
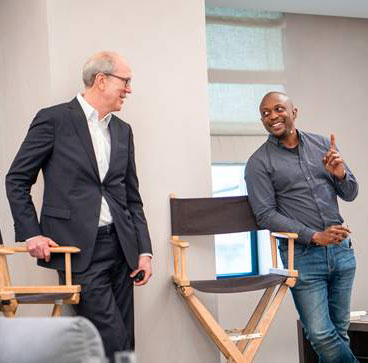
(44,44)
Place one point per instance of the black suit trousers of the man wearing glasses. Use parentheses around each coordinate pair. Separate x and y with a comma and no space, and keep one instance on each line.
(107,293)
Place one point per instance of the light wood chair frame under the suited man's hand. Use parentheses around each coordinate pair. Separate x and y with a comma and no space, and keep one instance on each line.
(11,295)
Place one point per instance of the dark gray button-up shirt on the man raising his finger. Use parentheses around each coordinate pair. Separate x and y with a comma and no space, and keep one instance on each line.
(294,193)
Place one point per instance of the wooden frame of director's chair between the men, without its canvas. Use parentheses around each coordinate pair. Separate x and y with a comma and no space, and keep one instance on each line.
(243,347)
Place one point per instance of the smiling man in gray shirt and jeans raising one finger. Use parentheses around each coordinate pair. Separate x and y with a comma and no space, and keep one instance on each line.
(293,181)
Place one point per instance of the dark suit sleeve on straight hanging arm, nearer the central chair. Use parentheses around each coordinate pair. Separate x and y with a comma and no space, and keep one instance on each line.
(134,201)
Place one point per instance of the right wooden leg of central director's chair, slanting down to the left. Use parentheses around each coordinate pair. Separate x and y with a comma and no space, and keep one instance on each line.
(266,323)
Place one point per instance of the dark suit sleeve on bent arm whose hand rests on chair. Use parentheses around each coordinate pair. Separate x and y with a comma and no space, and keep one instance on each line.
(31,157)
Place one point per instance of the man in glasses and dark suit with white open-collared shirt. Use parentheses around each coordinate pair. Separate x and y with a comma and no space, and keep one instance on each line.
(91,198)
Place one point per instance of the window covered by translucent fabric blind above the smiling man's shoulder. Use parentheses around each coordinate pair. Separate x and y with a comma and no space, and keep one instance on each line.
(245,61)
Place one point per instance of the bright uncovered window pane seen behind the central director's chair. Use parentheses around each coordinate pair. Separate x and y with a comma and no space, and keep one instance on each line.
(236,253)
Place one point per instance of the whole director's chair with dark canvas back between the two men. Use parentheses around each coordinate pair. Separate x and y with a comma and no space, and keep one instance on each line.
(209,216)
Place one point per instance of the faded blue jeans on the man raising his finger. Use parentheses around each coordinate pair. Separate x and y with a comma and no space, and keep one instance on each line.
(322,297)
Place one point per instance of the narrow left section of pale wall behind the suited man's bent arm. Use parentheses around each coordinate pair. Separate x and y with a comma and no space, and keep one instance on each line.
(24,89)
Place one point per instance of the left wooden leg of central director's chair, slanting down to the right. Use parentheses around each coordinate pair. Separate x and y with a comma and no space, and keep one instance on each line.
(213,329)
